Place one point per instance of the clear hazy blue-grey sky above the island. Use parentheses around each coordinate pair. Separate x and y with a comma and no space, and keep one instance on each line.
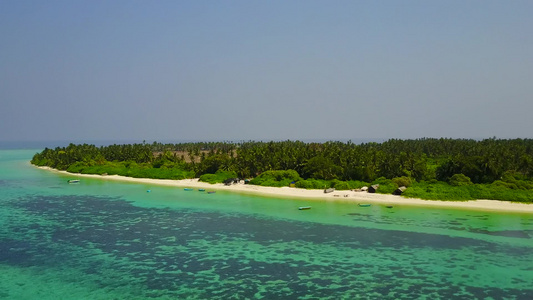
(265,70)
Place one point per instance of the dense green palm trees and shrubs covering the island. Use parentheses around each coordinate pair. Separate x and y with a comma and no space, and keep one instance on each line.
(503,164)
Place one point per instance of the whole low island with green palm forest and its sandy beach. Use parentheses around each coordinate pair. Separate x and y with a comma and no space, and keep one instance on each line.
(426,169)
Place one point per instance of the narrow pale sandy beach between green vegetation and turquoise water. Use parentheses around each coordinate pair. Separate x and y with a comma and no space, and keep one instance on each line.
(287,192)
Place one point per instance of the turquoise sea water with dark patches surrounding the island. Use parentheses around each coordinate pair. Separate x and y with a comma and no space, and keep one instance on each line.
(112,240)
